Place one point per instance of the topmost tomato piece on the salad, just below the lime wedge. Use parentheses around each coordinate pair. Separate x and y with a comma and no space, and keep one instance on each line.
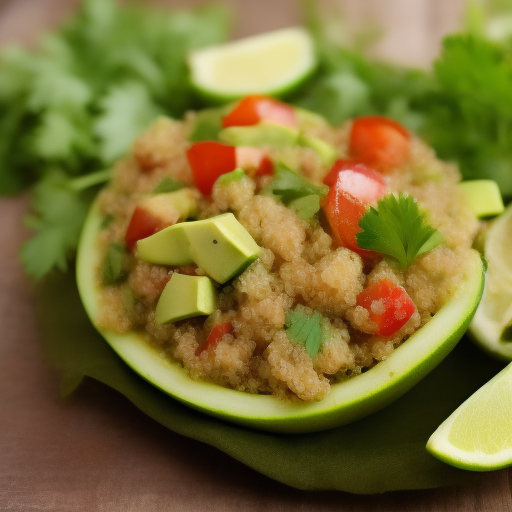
(254,109)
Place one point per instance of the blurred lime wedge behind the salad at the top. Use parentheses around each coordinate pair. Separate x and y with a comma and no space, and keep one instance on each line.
(273,63)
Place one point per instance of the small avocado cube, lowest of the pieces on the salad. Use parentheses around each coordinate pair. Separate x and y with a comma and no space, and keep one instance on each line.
(185,297)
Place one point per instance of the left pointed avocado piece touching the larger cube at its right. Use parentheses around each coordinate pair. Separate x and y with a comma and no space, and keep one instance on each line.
(170,246)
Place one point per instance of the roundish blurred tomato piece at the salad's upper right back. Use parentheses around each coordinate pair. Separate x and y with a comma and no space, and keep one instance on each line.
(379,142)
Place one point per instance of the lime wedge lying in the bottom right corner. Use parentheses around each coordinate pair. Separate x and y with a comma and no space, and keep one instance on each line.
(478,435)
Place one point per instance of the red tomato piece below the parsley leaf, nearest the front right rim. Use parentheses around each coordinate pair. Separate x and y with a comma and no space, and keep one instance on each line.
(389,306)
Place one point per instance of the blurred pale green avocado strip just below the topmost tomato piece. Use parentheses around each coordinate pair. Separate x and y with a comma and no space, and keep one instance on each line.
(258,135)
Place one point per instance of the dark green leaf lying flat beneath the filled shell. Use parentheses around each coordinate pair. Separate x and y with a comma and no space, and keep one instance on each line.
(383,452)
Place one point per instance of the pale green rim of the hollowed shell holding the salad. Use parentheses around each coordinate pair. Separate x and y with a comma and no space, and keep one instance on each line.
(346,402)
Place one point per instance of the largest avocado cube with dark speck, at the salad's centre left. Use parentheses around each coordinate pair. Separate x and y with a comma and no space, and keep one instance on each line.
(221,246)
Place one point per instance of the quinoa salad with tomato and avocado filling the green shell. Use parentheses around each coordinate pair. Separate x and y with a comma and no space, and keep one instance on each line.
(308,304)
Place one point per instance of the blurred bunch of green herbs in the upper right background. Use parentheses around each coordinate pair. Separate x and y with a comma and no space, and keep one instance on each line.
(462,106)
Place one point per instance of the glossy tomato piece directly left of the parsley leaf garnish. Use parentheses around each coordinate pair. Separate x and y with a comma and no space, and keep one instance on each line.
(353,187)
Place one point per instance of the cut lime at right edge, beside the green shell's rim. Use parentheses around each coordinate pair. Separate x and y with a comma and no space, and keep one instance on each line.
(491,327)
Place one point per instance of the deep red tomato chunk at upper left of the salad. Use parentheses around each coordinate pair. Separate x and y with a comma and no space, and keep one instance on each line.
(208,161)
